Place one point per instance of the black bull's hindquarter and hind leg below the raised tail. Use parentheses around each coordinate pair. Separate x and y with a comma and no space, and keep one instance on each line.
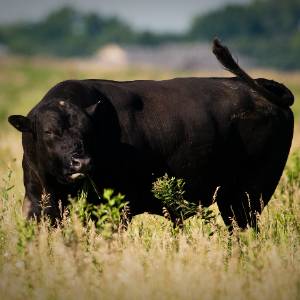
(263,142)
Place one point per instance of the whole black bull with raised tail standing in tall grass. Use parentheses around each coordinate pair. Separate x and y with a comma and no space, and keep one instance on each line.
(232,133)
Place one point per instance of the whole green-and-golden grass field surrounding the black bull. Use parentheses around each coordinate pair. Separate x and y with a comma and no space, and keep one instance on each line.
(150,260)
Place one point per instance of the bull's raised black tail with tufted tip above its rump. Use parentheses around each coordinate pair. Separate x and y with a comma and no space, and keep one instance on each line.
(273,91)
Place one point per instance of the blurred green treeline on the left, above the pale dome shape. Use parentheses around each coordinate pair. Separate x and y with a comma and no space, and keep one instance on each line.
(68,32)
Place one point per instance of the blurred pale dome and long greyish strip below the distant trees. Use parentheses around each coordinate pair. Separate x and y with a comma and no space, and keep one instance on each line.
(170,56)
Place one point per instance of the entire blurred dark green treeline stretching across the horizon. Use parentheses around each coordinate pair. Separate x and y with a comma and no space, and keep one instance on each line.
(267,30)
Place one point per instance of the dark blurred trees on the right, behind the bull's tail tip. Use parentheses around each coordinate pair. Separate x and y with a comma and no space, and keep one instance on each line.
(268,30)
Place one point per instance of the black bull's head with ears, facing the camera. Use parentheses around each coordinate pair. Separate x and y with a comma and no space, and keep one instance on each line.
(63,137)
